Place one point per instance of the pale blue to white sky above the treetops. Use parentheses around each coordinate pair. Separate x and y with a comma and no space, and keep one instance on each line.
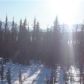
(45,11)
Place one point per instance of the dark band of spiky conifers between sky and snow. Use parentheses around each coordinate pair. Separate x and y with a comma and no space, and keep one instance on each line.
(22,44)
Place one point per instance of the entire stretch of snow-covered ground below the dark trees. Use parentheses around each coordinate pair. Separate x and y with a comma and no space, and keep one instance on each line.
(39,74)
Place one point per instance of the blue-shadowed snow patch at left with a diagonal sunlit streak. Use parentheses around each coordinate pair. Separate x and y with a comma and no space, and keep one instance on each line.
(33,74)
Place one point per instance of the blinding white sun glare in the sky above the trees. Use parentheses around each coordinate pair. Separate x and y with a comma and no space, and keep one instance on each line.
(64,9)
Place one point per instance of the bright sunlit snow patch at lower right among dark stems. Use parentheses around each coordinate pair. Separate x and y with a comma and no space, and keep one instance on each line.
(71,76)
